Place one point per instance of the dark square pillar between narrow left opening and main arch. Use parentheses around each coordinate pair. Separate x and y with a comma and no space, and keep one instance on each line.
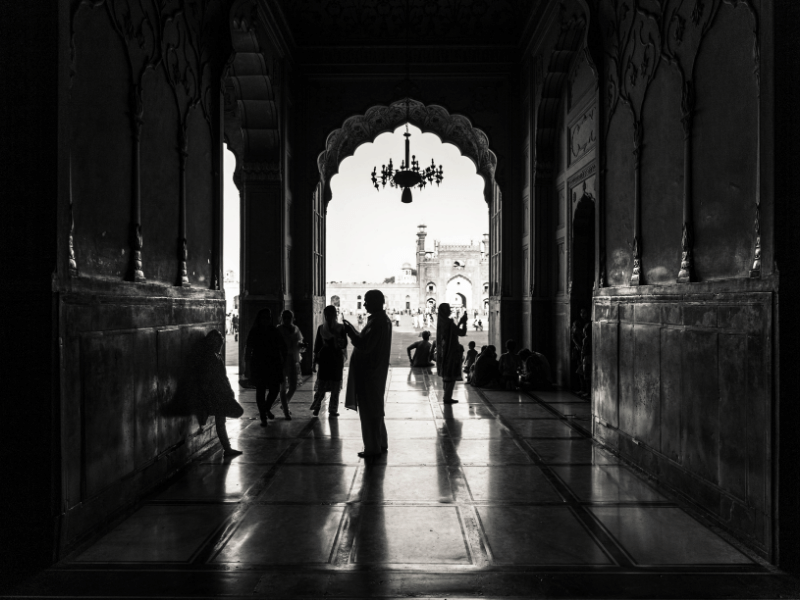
(262,240)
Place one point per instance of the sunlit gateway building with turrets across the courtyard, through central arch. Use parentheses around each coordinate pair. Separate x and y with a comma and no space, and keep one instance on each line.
(454,273)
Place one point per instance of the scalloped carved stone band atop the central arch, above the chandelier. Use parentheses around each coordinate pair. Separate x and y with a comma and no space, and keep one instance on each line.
(453,129)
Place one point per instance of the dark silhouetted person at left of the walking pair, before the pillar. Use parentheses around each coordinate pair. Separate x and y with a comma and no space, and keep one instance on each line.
(265,355)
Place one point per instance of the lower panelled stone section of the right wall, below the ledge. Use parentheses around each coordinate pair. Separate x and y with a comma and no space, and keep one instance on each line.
(694,397)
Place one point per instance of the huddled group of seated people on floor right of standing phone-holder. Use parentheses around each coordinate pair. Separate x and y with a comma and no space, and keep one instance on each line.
(525,369)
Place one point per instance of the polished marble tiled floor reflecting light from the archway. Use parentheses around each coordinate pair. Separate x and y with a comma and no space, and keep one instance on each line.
(502,494)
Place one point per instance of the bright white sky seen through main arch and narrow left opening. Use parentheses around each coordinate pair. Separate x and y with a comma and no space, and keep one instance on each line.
(370,233)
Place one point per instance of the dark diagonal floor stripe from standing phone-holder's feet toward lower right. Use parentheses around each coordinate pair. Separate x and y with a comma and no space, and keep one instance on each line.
(607,543)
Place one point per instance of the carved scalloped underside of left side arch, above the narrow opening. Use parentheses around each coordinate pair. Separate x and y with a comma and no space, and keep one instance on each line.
(251,112)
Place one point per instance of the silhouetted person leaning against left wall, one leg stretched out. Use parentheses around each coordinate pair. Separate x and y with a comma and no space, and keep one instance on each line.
(213,388)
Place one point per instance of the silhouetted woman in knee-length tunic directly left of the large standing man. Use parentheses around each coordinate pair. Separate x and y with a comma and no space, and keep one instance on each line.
(330,353)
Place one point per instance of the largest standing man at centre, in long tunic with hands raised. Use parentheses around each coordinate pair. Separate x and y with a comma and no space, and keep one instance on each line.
(369,368)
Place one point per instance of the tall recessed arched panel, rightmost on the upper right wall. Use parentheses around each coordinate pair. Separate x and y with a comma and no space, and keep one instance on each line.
(725,168)
